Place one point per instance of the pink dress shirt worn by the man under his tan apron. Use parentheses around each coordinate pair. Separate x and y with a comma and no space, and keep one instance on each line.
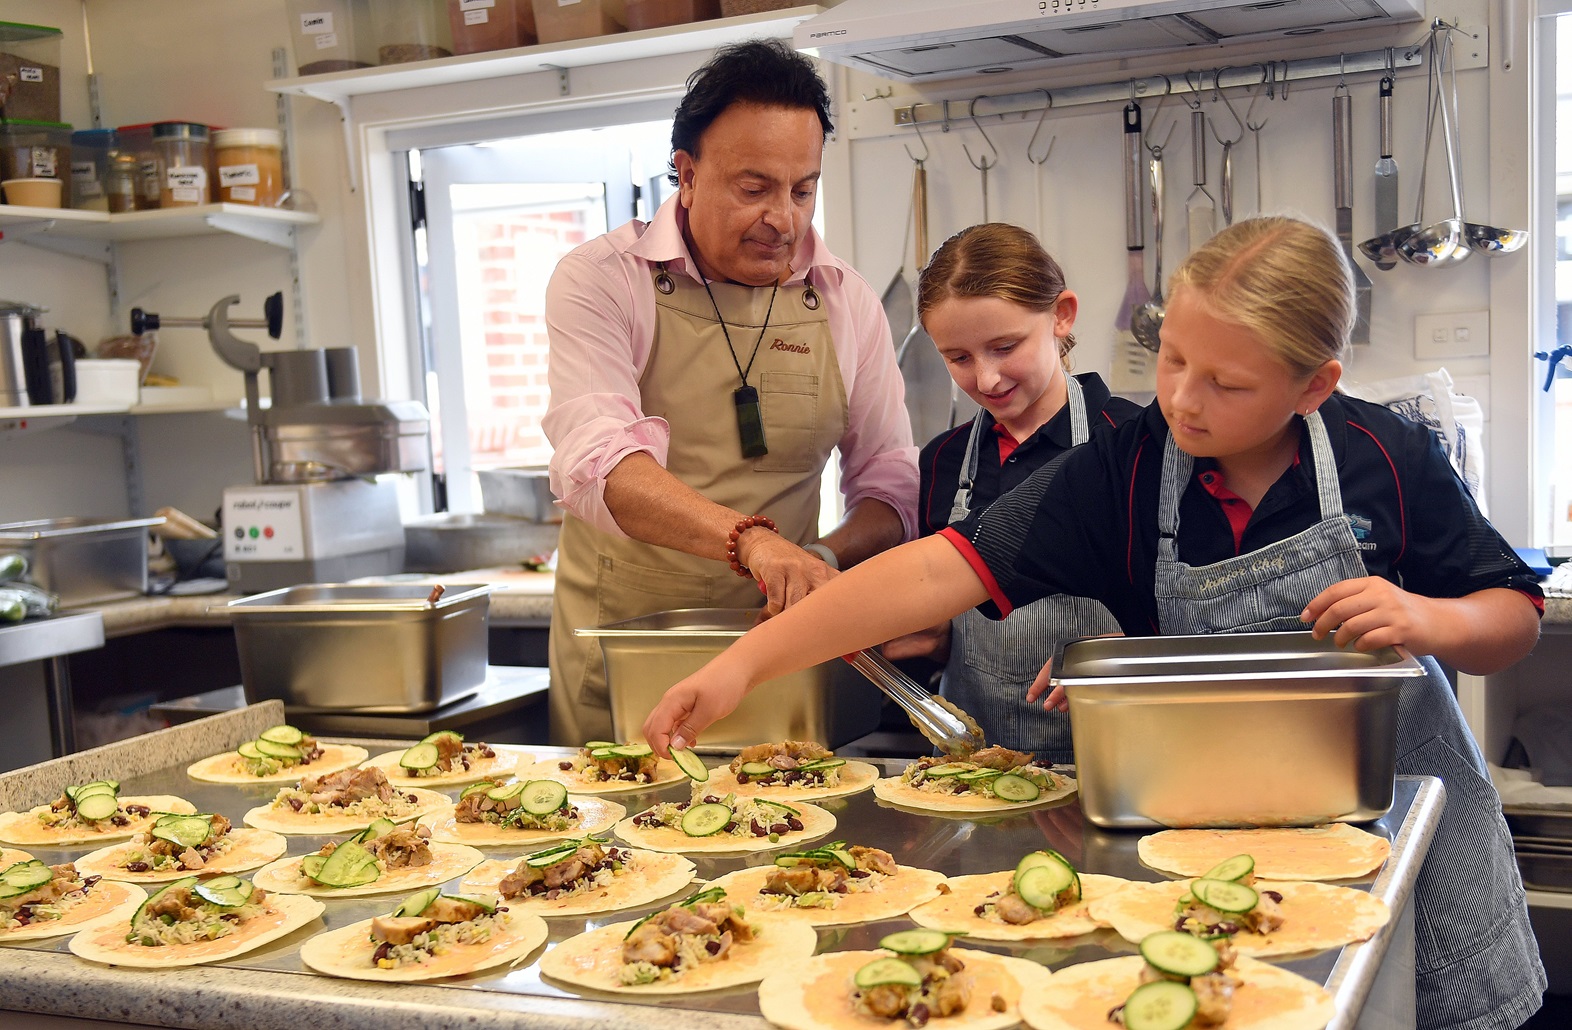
(601,320)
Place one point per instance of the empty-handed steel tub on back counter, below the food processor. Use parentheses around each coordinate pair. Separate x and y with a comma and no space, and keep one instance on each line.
(378,649)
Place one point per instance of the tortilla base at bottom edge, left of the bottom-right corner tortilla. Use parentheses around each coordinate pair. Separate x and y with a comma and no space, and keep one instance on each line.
(817,993)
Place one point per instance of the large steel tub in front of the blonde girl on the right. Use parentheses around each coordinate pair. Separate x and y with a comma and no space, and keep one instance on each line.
(1232,729)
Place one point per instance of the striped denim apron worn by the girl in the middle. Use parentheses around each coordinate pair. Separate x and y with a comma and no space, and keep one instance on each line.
(994,661)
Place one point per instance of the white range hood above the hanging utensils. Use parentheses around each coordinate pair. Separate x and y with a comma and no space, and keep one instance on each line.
(950,39)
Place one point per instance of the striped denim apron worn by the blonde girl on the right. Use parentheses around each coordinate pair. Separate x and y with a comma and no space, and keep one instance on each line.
(1477,965)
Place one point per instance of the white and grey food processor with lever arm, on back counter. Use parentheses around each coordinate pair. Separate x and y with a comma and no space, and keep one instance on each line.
(323,509)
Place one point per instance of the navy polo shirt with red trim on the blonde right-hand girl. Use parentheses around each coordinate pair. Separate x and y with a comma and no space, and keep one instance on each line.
(1092,529)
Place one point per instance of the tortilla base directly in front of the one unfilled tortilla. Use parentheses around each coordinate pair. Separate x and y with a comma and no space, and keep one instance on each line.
(1315,916)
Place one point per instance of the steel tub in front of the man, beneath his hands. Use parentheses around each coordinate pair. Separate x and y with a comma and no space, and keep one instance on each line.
(829,704)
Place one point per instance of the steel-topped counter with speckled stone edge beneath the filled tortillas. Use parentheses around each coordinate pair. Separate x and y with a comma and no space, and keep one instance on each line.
(43,977)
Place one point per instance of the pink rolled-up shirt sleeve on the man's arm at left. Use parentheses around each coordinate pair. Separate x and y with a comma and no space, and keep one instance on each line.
(597,356)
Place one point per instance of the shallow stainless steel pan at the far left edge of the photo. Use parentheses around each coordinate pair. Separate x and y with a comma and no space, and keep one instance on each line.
(84,561)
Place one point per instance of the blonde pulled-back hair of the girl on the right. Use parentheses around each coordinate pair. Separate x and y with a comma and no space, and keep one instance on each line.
(1285,281)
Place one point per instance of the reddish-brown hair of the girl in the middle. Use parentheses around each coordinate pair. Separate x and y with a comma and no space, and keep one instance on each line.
(994,260)
